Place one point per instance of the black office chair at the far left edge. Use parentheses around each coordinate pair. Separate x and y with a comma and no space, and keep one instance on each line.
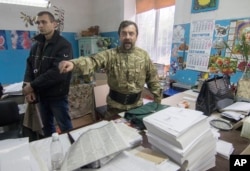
(10,126)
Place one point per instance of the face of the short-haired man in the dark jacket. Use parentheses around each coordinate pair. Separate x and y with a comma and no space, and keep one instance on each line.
(44,25)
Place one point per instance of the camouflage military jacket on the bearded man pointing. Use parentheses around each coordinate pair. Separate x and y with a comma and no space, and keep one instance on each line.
(127,72)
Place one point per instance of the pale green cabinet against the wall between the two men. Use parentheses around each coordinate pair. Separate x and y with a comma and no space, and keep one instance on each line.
(88,45)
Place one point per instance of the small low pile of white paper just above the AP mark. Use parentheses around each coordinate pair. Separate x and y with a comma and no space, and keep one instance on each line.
(224,148)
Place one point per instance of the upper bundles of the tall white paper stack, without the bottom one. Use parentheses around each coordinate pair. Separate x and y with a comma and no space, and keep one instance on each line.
(178,126)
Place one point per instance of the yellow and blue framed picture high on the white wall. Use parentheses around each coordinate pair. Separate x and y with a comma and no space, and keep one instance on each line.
(204,5)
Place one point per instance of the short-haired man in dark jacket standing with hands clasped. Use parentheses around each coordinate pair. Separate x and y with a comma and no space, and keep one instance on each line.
(42,81)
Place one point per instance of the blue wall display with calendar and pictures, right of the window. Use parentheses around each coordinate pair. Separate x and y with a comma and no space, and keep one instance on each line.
(188,60)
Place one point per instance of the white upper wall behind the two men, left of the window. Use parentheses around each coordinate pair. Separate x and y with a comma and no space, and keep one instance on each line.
(79,14)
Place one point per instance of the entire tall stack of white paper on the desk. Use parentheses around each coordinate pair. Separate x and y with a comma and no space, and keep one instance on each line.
(184,135)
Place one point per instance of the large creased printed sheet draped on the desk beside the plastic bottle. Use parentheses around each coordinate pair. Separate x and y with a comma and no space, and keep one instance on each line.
(93,145)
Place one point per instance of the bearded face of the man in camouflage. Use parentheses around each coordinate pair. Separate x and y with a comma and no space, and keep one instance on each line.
(128,37)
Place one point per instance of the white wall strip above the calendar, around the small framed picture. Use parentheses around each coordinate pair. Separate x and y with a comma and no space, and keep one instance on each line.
(227,9)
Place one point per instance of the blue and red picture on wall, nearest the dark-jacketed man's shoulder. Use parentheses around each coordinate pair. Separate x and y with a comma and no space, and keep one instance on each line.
(20,39)
